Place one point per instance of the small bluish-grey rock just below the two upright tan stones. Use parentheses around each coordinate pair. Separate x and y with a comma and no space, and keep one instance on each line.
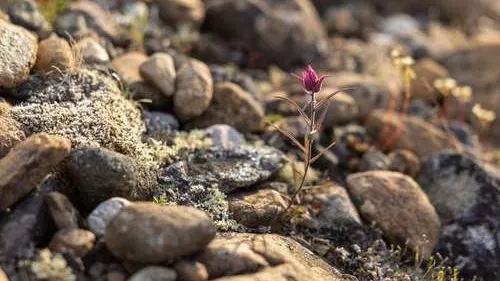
(159,124)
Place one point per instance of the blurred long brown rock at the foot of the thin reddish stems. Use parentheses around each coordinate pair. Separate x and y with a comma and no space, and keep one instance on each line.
(409,133)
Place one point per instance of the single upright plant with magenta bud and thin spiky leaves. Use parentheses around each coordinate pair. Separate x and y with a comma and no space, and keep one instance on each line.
(313,115)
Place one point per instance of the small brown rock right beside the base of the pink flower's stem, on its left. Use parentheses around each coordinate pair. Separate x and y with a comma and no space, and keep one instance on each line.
(257,208)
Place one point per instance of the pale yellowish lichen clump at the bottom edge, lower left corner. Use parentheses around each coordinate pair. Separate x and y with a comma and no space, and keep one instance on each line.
(51,267)
